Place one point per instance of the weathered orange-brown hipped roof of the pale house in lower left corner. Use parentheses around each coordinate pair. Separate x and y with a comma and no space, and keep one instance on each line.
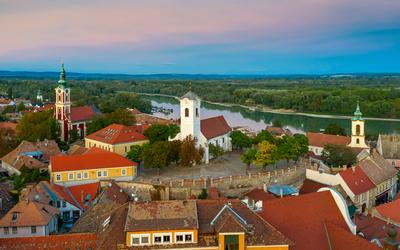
(29,213)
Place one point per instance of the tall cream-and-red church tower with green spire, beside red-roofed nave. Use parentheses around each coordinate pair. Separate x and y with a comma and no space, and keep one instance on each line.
(63,104)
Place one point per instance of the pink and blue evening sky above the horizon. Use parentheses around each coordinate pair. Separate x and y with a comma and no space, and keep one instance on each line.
(201,37)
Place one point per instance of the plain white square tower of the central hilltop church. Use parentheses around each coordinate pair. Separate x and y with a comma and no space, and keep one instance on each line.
(190,116)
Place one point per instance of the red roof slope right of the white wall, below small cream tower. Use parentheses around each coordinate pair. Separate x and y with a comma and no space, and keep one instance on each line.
(357,180)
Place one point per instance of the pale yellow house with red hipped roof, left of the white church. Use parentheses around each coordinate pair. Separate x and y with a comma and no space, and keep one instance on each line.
(117,138)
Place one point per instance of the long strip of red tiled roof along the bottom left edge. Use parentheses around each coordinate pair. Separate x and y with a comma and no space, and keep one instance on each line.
(54,242)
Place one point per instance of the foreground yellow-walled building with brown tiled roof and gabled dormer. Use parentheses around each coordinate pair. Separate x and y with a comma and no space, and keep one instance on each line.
(201,224)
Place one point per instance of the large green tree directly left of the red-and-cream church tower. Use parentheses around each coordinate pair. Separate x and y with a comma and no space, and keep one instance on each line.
(38,126)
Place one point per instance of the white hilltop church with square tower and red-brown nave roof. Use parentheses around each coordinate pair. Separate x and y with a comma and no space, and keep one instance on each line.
(213,130)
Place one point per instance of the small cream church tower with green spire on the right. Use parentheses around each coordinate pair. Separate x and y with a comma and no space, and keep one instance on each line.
(357,130)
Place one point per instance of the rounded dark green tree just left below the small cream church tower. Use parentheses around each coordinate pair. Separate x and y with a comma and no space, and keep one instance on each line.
(338,156)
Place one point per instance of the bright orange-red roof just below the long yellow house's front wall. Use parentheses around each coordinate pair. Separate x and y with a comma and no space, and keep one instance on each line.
(78,193)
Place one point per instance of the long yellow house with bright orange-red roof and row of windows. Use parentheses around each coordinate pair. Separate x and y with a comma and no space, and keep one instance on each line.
(94,165)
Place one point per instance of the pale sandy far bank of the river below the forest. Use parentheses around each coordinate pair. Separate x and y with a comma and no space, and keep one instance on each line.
(278,111)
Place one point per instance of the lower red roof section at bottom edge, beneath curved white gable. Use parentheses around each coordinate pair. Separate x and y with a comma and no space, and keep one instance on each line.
(340,239)
